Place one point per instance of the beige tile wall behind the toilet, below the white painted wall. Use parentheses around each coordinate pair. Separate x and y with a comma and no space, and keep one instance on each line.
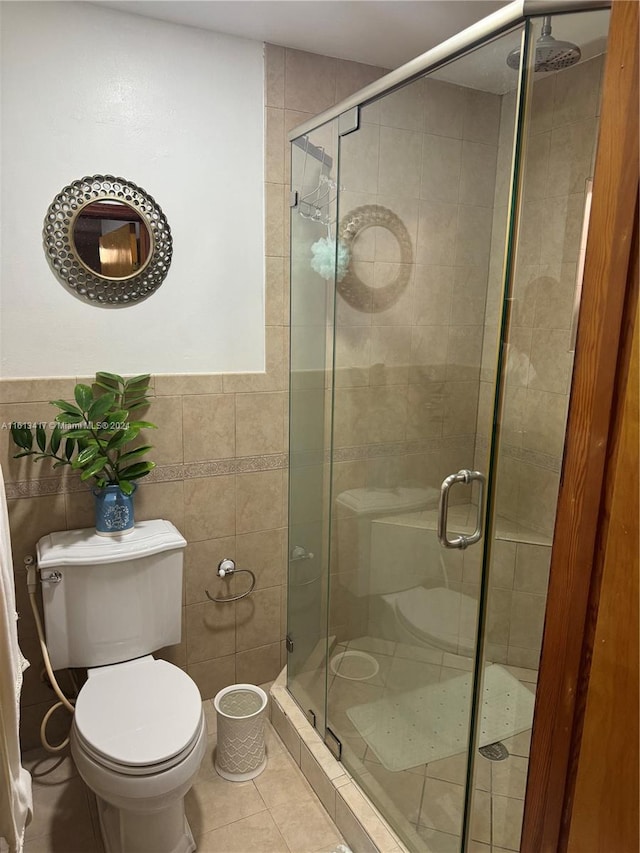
(221,479)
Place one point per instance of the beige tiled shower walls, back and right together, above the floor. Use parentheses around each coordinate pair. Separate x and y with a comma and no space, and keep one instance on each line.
(406,379)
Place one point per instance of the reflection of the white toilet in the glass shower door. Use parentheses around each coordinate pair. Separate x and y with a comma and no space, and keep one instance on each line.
(397,562)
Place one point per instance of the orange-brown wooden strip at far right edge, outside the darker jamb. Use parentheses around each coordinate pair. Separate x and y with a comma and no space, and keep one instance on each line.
(601,811)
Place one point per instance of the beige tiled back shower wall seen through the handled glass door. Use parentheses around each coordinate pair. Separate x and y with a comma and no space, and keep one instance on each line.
(407,377)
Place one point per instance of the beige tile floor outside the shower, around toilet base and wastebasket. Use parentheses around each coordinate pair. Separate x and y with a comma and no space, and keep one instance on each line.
(277,812)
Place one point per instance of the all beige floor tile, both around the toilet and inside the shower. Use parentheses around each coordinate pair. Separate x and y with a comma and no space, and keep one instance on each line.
(278,812)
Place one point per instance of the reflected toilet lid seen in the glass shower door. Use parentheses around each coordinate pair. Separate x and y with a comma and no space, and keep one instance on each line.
(442,617)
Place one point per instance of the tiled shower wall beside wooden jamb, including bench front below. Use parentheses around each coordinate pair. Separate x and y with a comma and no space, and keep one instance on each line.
(559,157)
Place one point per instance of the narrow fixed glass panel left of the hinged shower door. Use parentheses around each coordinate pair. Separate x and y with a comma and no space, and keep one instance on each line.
(313,171)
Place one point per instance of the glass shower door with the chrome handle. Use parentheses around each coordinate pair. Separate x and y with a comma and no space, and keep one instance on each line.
(422,220)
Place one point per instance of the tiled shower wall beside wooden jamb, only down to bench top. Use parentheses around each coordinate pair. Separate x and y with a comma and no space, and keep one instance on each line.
(559,157)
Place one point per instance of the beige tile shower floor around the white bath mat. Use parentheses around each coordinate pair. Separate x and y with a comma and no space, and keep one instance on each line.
(425,803)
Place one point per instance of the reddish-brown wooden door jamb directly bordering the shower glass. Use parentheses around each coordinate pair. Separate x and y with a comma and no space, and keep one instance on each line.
(561,683)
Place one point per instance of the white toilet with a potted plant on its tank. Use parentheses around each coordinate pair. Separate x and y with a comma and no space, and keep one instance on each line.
(139,734)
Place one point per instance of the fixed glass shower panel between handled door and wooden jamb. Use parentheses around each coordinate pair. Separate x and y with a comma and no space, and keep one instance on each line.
(559,141)
